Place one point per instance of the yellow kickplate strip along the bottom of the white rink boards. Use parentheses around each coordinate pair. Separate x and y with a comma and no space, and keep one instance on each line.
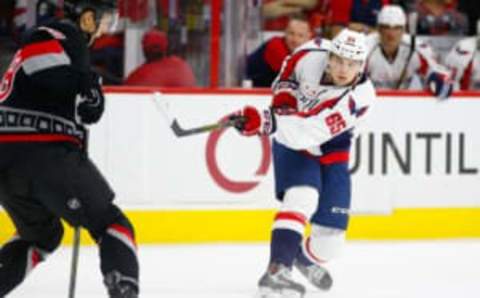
(203,226)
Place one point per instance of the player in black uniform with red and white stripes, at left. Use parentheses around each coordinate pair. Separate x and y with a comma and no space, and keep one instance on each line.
(47,96)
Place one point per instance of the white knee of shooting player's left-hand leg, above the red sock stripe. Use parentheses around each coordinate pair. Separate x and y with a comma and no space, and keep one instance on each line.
(300,199)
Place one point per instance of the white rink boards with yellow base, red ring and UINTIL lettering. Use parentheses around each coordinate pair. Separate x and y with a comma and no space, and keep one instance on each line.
(415,168)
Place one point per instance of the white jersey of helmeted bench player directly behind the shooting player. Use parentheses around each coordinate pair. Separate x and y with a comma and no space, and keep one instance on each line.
(386,74)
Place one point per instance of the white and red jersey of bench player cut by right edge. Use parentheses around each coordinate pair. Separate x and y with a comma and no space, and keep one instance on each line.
(464,62)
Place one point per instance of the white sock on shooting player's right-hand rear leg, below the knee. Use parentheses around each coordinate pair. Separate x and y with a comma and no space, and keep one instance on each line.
(324,243)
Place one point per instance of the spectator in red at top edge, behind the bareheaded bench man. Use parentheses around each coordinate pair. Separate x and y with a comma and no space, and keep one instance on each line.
(277,12)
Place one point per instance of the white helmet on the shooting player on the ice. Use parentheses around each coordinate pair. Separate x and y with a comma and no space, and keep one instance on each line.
(350,44)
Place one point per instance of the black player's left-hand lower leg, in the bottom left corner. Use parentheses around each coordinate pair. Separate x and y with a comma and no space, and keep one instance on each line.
(17,259)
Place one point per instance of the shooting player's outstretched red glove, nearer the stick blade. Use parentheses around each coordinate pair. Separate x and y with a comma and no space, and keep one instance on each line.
(250,121)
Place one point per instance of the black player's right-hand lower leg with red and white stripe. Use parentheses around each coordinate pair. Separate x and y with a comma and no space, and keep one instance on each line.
(119,263)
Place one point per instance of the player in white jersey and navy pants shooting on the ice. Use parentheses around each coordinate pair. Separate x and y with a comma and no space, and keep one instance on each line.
(320,95)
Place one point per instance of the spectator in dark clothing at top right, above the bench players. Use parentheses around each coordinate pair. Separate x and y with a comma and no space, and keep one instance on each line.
(440,17)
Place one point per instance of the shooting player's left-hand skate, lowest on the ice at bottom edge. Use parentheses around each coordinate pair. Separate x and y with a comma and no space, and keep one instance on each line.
(278,283)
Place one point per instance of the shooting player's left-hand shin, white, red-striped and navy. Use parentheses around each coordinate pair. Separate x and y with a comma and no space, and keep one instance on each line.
(298,205)
